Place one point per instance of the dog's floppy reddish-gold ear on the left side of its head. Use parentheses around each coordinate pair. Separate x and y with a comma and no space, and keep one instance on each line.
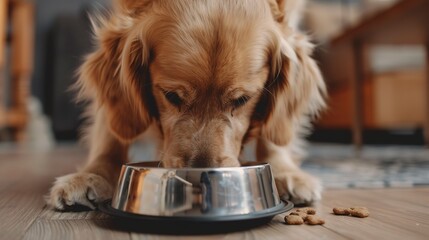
(117,74)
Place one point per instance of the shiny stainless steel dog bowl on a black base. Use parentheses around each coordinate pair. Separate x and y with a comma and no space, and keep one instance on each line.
(203,193)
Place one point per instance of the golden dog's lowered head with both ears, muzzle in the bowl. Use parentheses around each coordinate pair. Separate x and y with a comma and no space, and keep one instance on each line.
(209,73)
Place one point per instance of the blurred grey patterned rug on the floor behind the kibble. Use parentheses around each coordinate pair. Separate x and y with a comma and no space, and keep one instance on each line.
(376,167)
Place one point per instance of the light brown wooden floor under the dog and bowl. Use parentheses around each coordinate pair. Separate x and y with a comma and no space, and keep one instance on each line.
(25,177)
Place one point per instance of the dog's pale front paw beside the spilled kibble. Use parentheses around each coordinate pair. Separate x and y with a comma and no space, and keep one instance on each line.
(299,187)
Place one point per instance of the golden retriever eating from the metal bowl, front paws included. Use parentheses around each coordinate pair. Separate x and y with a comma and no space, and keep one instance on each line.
(209,75)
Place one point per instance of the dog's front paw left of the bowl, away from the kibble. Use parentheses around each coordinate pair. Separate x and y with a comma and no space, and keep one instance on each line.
(79,189)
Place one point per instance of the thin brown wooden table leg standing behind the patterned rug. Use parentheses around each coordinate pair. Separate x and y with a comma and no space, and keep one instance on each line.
(357,82)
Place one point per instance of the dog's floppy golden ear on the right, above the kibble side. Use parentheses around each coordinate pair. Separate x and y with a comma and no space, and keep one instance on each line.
(295,90)
